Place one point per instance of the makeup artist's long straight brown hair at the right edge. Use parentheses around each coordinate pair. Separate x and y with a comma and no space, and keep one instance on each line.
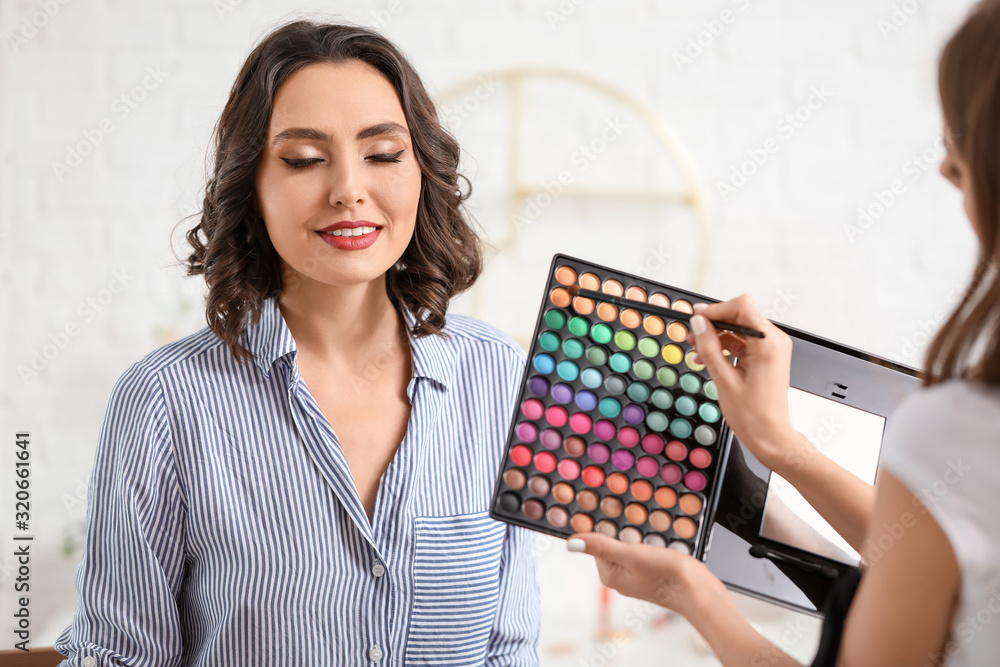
(969,84)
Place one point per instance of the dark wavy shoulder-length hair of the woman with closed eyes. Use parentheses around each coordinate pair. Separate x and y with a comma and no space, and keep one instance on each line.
(231,245)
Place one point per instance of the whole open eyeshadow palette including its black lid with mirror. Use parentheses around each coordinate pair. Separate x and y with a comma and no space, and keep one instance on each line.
(617,429)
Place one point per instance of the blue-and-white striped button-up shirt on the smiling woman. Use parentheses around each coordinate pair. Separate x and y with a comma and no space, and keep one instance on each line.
(224,527)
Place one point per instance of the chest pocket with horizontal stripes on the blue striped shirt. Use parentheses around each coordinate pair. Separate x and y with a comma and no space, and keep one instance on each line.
(456,585)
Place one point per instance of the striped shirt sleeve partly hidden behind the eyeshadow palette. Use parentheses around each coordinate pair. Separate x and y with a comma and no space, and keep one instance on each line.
(514,639)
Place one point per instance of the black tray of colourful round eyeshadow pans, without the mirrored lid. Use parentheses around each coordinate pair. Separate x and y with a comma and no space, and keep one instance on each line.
(618,428)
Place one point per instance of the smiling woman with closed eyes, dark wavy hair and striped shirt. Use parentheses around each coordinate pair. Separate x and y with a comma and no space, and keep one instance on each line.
(306,480)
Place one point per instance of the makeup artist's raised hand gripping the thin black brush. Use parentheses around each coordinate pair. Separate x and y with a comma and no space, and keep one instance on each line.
(753,395)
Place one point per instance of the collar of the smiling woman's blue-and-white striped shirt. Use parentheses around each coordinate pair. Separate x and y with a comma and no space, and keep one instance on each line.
(270,339)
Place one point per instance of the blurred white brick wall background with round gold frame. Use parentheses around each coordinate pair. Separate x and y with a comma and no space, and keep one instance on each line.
(781,148)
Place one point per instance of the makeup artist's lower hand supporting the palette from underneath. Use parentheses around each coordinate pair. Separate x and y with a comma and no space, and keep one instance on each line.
(662,576)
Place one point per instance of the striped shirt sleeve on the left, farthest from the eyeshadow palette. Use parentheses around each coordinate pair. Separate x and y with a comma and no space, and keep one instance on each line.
(130,574)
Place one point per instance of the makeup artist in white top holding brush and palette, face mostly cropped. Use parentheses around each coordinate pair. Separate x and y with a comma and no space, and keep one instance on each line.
(929,598)
